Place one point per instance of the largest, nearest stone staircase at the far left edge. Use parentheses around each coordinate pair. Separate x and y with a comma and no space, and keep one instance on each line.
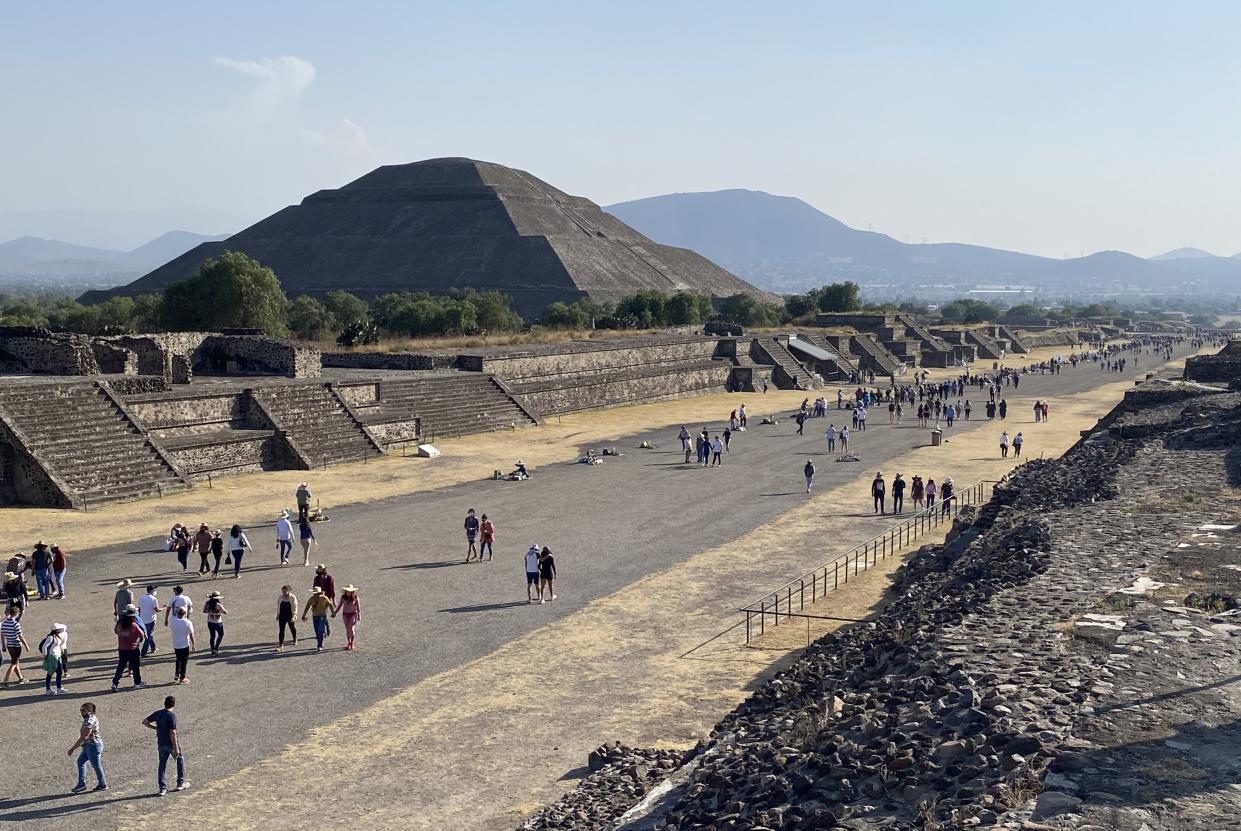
(89,446)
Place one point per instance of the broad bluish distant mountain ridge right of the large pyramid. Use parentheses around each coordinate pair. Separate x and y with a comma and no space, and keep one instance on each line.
(785,245)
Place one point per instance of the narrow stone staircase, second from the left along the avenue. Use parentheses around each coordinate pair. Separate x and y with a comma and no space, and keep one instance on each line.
(317,424)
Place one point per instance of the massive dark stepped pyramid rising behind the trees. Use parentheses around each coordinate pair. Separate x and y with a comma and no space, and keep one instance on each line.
(445,224)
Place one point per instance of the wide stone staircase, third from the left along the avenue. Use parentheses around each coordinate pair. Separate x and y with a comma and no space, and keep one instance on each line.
(459,405)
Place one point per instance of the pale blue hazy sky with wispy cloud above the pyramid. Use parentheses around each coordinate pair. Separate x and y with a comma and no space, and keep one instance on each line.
(1046,127)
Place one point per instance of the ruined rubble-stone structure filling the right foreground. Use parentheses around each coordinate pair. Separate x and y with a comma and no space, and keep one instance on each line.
(1064,659)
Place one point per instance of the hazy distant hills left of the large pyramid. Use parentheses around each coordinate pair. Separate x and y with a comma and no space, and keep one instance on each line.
(52,259)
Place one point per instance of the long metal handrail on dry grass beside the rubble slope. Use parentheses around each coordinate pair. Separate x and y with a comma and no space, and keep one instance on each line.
(809,589)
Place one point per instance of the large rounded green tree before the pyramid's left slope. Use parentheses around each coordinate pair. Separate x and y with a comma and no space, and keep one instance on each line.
(228,292)
